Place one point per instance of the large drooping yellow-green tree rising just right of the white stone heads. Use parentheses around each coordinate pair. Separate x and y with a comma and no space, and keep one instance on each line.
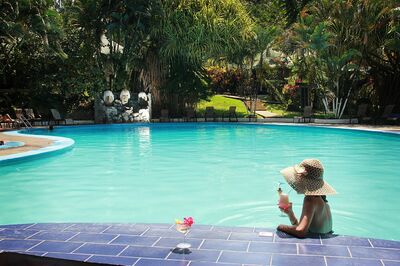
(188,35)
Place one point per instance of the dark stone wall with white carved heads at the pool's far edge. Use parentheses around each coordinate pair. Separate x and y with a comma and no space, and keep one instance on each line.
(123,107)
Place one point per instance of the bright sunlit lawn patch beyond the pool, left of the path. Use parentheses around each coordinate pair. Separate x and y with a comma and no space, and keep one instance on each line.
(221,105)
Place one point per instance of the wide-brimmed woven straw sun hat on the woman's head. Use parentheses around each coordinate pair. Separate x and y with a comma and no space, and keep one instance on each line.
(307,178)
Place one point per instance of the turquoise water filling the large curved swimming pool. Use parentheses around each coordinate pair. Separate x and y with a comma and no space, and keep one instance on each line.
(222,174)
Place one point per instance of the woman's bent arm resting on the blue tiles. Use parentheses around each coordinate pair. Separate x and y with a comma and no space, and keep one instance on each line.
(301,229)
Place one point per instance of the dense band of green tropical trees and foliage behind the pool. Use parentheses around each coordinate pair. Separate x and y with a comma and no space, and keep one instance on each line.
(53,56)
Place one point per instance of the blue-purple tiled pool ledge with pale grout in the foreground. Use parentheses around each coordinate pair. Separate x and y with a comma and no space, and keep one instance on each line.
(152,244)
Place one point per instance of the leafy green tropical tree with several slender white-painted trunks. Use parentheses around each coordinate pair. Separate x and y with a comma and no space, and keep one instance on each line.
(324,54)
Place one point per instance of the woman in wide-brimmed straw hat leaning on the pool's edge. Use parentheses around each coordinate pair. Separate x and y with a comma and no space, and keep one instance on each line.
(307,178)
